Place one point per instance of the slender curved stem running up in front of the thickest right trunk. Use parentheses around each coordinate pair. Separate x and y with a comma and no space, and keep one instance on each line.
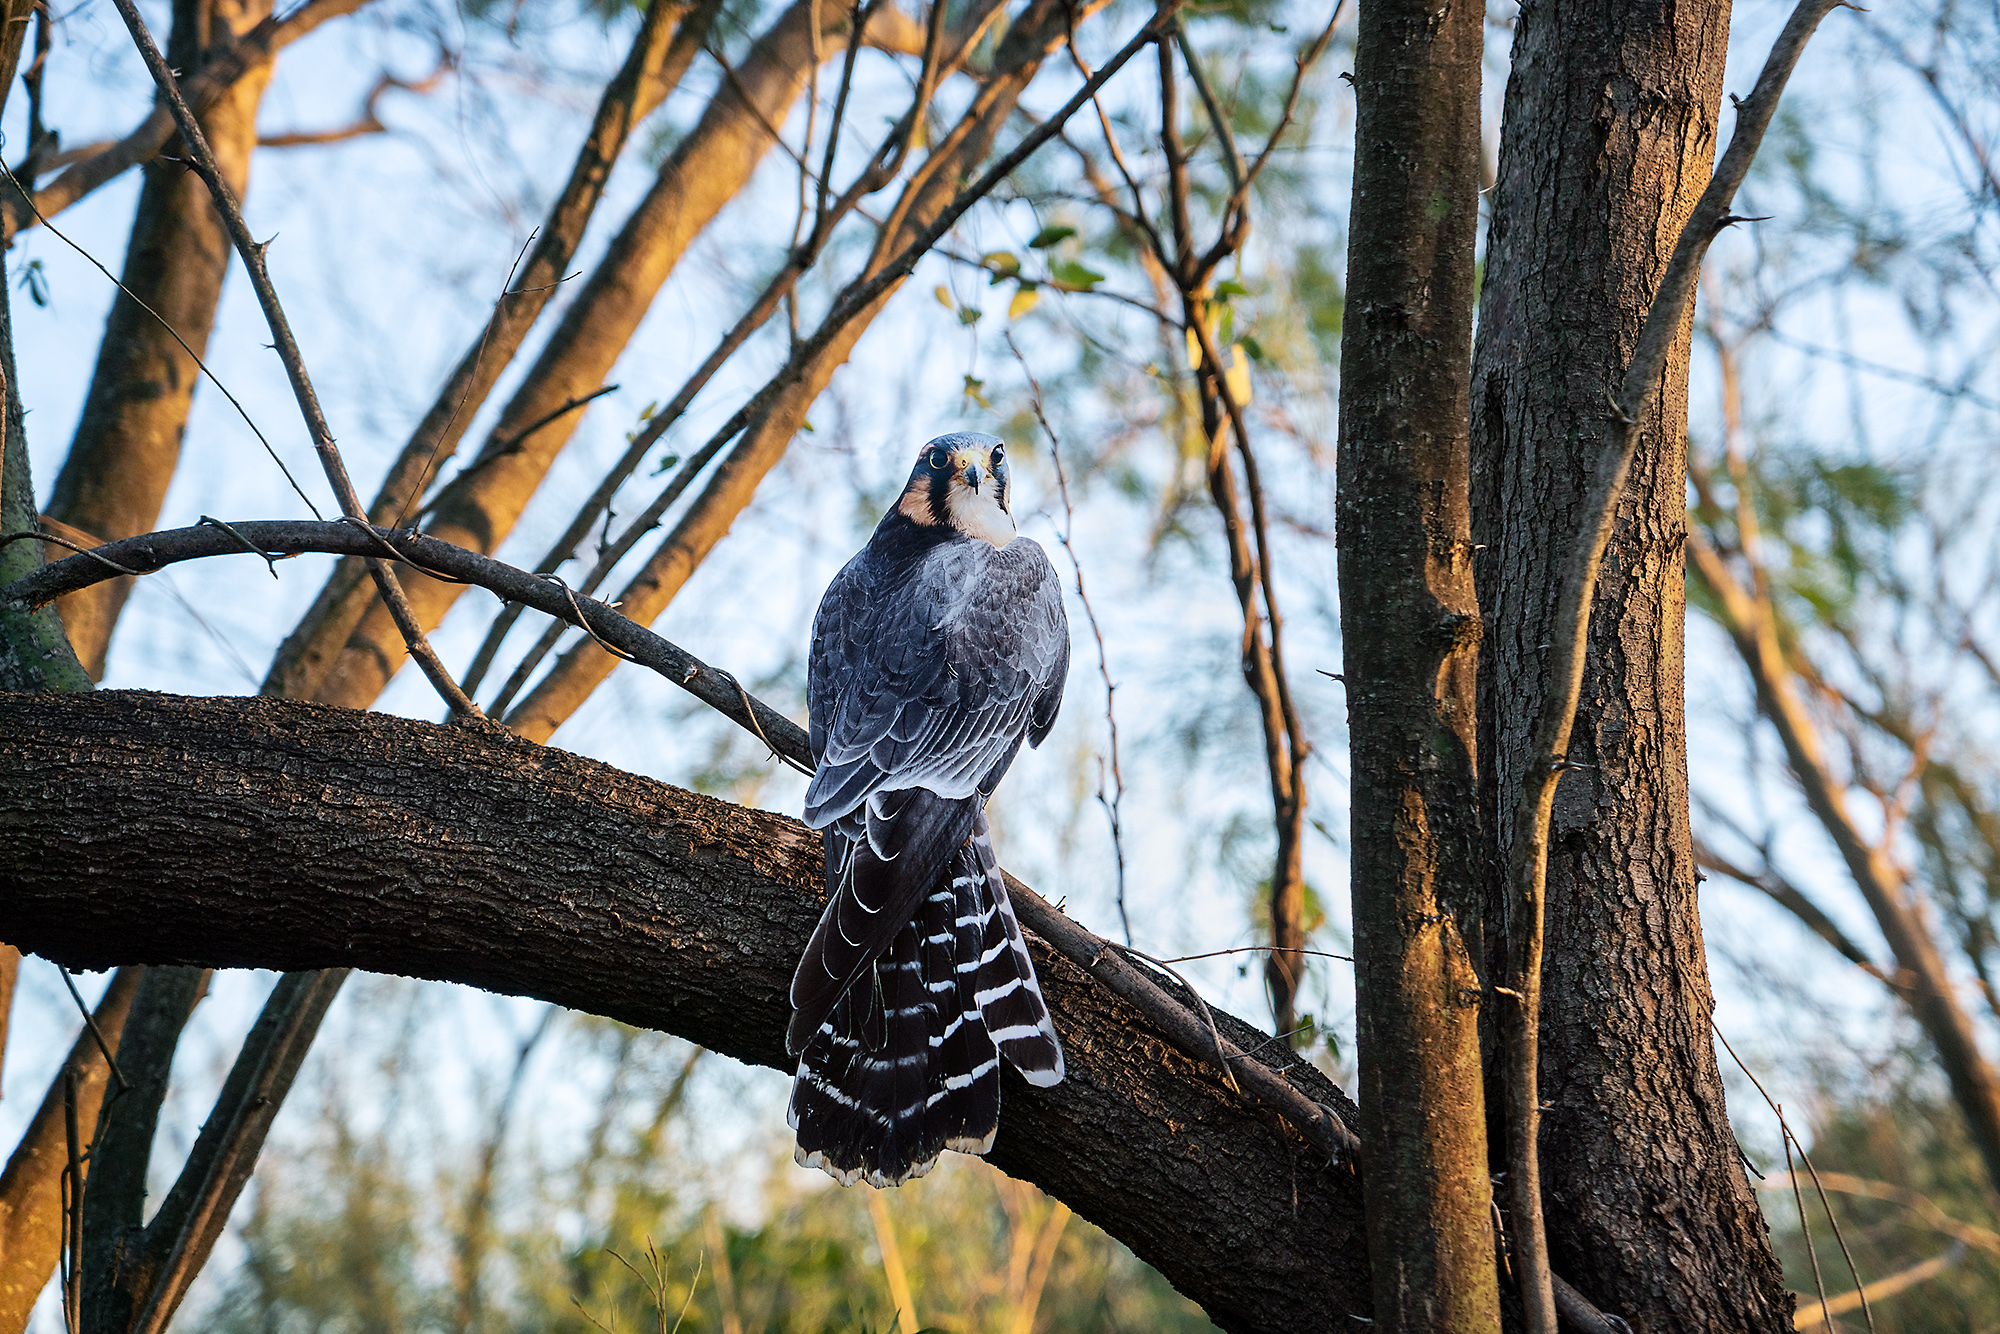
(1569,643)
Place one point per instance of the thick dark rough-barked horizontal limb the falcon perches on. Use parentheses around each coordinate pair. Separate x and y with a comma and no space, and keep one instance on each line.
(277,835)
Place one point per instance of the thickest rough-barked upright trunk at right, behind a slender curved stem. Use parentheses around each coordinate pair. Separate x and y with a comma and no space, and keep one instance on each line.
(1609,139)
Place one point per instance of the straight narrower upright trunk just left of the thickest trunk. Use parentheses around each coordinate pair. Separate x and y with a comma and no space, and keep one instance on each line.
(1411,677)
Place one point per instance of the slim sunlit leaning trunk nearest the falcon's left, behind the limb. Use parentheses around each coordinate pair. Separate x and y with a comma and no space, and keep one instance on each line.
(735,481)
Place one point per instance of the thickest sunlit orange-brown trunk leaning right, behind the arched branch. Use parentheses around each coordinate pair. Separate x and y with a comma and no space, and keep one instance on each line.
(483,505)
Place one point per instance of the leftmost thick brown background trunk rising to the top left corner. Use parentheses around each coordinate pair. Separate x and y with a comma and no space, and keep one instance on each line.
(129,435)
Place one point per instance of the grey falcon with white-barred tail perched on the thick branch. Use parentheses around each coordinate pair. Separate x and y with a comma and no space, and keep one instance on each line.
(937,651)
